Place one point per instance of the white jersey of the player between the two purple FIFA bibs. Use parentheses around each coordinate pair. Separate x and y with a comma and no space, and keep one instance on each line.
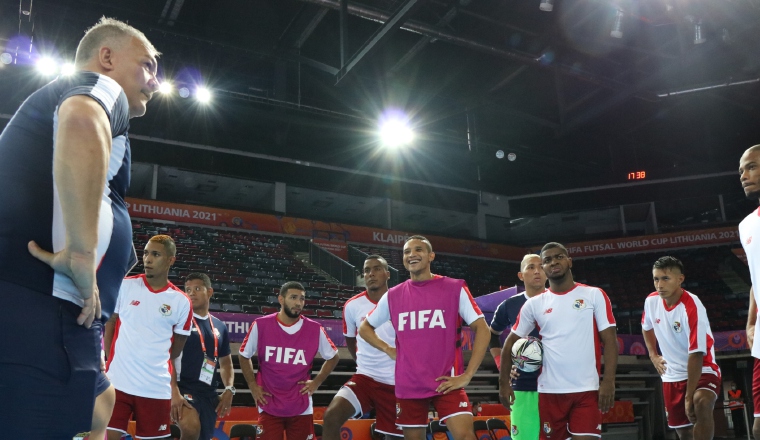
(369,360)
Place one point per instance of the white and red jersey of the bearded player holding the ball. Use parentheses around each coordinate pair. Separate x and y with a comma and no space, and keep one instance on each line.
(569,324)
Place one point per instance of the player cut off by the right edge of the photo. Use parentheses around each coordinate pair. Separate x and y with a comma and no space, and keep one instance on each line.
(749,176)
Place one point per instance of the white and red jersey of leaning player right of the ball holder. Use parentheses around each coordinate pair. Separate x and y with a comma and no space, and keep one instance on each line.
(680,330)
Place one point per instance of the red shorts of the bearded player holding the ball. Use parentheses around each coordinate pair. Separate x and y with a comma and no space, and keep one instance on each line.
(565,415)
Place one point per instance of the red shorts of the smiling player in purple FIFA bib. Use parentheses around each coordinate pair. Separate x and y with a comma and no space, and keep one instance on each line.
(413,413)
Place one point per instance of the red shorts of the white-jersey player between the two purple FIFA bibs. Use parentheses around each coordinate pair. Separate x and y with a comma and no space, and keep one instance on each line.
(366,393)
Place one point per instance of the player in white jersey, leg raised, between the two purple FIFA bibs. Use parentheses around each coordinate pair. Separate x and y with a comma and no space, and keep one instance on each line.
(373,384)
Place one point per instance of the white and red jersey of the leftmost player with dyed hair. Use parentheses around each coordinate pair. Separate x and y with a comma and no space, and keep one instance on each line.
(148,319)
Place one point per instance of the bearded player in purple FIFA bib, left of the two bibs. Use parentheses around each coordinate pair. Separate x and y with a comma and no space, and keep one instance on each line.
(286,344)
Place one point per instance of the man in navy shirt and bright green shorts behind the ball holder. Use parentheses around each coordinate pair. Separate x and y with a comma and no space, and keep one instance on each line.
(524,417)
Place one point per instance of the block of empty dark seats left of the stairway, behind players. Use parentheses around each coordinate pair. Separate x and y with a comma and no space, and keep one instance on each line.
(247,269)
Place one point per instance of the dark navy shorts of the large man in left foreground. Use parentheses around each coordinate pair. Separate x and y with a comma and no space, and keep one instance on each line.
(49,366)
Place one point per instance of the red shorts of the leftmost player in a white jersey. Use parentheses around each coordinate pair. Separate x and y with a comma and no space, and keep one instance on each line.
(152,416)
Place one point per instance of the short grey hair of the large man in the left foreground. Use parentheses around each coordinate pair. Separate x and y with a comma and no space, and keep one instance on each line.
(108,31)
